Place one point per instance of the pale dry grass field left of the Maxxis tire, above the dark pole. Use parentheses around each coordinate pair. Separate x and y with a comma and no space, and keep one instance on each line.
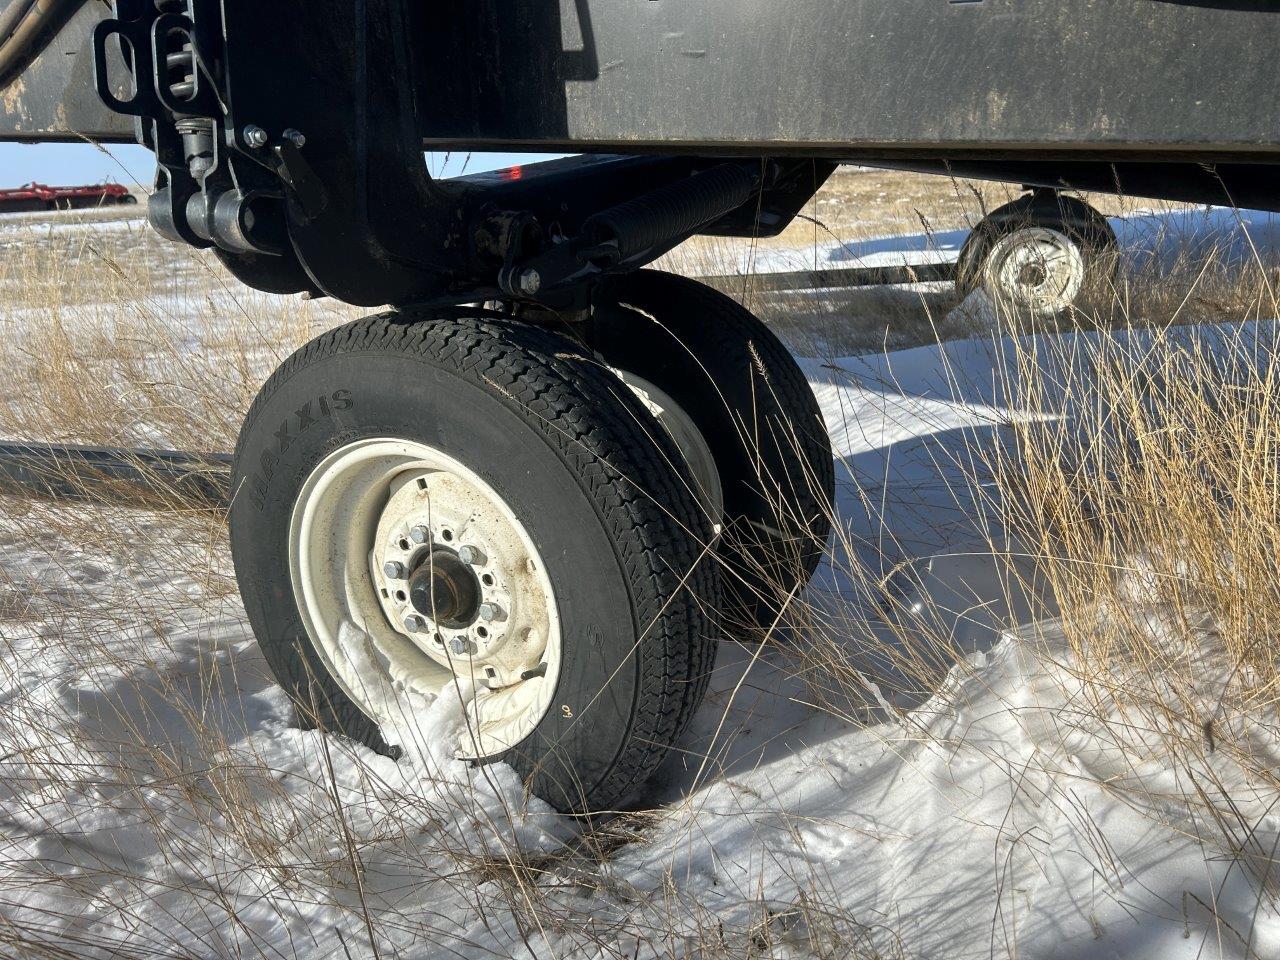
(115,337)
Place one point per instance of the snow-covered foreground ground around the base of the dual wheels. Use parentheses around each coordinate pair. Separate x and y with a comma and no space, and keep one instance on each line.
(159,799)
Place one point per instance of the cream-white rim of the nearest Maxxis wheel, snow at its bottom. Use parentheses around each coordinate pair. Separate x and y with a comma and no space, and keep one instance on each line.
(386,501)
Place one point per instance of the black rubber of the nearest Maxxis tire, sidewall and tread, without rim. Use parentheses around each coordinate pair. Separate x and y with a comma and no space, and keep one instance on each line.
(570,451)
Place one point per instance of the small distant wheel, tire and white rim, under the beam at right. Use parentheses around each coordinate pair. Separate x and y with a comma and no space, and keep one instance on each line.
(1036,255)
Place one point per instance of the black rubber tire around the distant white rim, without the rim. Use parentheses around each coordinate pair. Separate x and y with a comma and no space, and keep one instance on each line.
(1057,212)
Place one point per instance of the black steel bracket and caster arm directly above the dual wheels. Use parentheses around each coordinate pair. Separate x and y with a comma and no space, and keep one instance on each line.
(304,168)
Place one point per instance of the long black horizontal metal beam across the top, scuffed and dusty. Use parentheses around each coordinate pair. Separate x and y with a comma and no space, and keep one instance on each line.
(1144,80)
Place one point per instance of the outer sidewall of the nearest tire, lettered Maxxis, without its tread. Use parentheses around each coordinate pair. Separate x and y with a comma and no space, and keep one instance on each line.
(359,395)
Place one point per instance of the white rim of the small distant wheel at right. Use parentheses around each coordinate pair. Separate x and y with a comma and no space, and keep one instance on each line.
(1036,271)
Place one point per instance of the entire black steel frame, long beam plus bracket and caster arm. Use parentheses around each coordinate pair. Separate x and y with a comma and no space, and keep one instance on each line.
(290,135)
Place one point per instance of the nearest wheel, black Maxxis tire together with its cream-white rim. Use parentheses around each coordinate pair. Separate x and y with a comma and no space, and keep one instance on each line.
(559,445)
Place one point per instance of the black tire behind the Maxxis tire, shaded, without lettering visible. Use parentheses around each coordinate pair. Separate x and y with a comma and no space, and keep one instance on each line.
(753,405)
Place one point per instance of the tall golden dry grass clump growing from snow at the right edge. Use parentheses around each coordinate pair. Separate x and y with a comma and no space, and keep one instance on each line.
(1156,522)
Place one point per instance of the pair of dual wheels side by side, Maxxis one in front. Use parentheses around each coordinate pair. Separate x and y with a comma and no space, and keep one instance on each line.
(546,431)
